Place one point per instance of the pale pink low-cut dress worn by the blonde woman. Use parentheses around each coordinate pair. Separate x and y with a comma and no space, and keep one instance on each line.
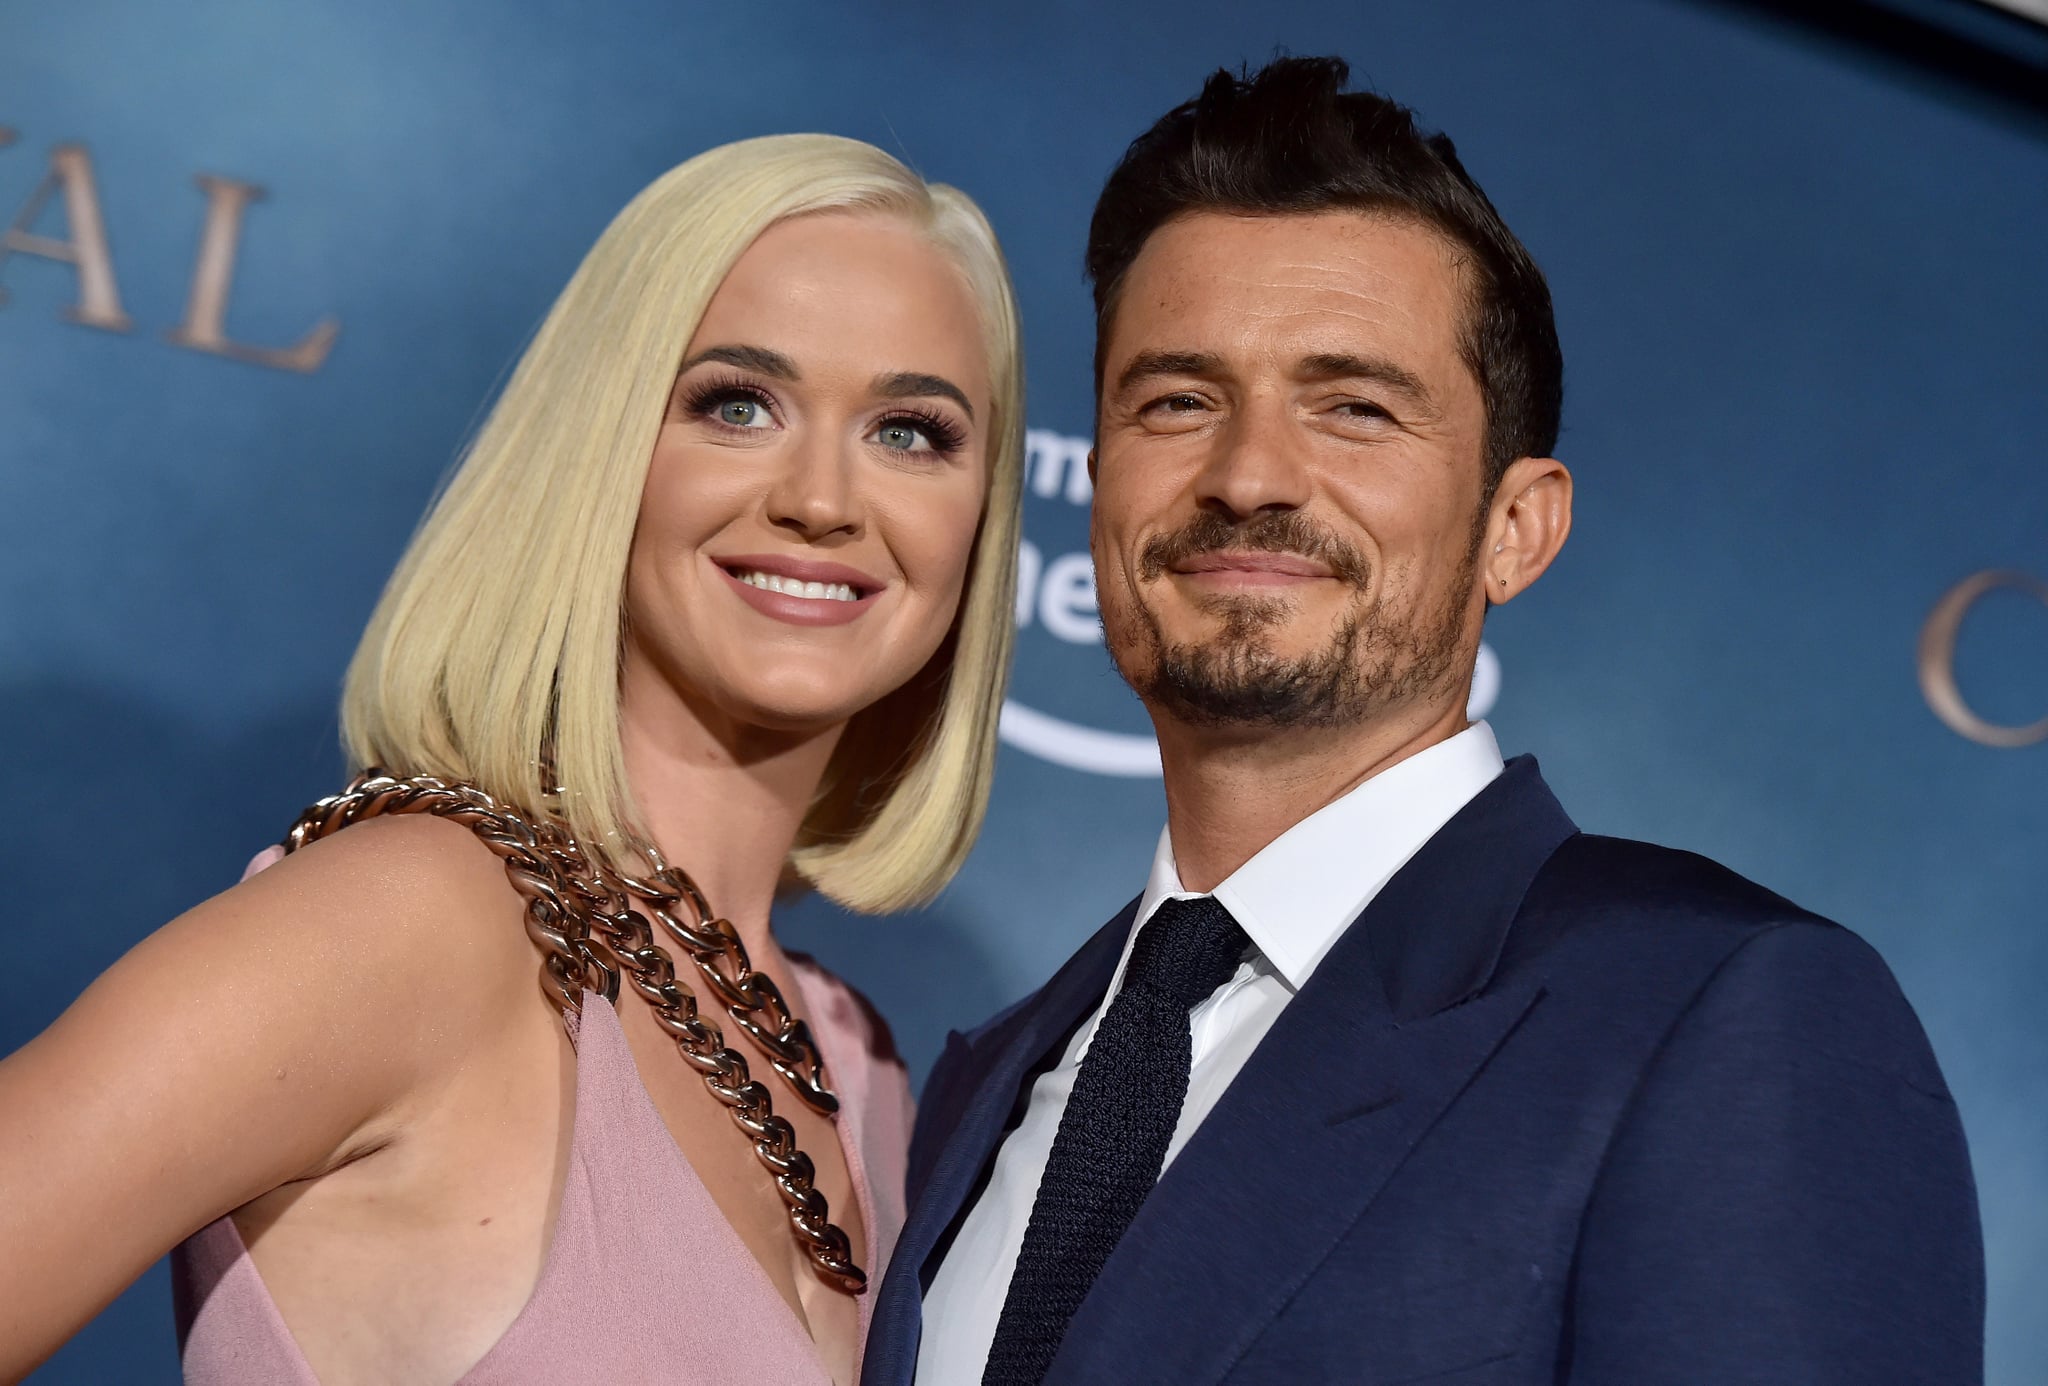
(638,1240)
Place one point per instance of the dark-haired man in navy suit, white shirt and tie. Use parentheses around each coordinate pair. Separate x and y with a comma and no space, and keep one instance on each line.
(1392,1074)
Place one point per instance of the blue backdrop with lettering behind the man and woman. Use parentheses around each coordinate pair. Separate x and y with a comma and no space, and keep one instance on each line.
(1803,308)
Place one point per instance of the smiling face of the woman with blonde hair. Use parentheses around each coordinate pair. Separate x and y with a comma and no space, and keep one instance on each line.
(818,482)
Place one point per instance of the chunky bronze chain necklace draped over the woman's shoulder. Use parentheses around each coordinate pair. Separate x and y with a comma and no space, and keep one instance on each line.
(593,928)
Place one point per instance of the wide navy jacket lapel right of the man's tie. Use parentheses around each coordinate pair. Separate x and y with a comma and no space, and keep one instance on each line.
(1363,1062)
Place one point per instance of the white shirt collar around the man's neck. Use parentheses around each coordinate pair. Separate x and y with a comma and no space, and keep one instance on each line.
(1306,887)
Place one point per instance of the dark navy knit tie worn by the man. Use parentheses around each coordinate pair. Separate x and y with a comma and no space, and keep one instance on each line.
(1115,1131)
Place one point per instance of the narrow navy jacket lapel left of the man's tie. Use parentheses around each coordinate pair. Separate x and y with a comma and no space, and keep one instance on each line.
(1007,1057)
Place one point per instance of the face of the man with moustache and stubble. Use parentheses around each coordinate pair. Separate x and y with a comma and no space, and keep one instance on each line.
(1289,472)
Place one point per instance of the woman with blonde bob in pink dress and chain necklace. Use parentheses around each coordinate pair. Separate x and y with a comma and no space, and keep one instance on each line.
(718,601)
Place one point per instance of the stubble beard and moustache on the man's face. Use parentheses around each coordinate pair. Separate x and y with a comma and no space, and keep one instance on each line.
(1238,679)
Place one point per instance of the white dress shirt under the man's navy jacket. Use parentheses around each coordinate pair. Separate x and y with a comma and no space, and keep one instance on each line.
(1293,900)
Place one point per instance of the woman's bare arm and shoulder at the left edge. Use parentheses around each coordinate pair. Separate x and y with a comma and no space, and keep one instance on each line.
(269,1035)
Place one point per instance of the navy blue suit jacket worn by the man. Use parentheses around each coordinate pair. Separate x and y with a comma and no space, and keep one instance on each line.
(1555,1109)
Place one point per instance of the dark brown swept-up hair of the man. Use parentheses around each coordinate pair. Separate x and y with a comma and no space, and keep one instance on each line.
(1291,140)
